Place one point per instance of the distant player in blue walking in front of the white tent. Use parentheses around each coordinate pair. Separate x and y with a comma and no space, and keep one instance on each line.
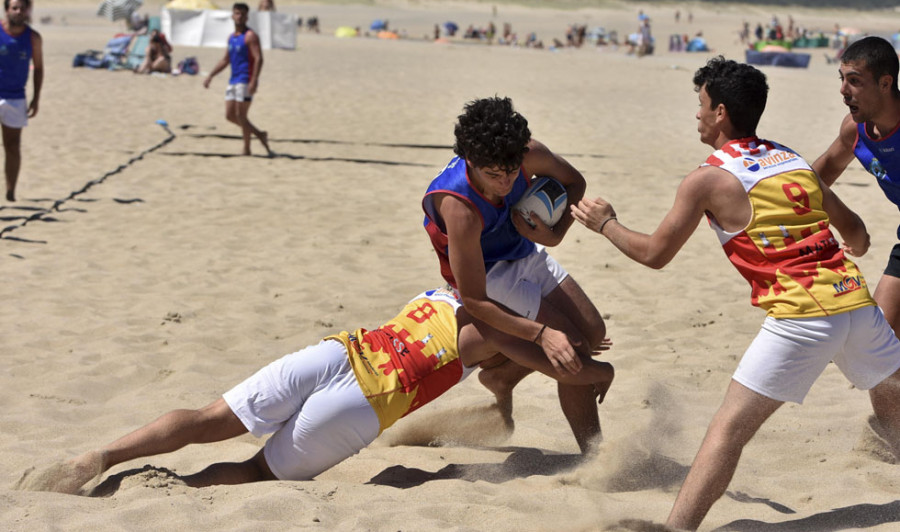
(244,54)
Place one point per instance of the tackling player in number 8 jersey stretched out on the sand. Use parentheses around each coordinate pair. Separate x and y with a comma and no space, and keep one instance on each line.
(327,402)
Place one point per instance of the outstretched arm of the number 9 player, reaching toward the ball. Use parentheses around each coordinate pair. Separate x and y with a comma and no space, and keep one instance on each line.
(657,249)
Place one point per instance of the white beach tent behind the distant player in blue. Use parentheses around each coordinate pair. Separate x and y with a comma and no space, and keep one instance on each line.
(200,23)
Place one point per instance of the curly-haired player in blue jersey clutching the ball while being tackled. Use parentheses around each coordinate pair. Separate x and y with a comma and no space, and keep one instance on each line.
(487,253)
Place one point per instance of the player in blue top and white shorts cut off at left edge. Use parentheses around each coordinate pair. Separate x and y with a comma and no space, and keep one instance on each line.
(20,46)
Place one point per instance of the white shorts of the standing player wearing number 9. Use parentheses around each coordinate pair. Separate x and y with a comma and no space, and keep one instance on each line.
(788,355)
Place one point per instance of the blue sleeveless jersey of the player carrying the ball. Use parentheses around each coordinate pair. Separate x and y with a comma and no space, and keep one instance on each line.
(499,238)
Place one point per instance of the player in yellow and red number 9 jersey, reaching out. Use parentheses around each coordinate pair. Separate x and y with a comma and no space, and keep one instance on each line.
(773,217)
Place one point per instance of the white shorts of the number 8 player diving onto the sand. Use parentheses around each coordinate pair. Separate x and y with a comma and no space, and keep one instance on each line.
(311,400)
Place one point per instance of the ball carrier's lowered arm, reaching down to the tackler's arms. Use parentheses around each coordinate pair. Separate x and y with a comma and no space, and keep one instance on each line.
(463,227)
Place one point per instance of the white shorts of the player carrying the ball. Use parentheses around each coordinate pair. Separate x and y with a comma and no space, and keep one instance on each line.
(521,284)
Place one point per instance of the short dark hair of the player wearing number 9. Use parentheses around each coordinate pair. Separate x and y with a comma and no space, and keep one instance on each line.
(741,88)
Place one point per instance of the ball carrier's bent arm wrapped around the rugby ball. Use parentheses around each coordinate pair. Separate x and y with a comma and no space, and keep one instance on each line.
(540,161)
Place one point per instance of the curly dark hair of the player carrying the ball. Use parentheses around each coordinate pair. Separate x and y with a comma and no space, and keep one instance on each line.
(491,133)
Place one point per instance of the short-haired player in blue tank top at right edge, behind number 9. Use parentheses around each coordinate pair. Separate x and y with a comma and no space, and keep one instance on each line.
(869,133)
